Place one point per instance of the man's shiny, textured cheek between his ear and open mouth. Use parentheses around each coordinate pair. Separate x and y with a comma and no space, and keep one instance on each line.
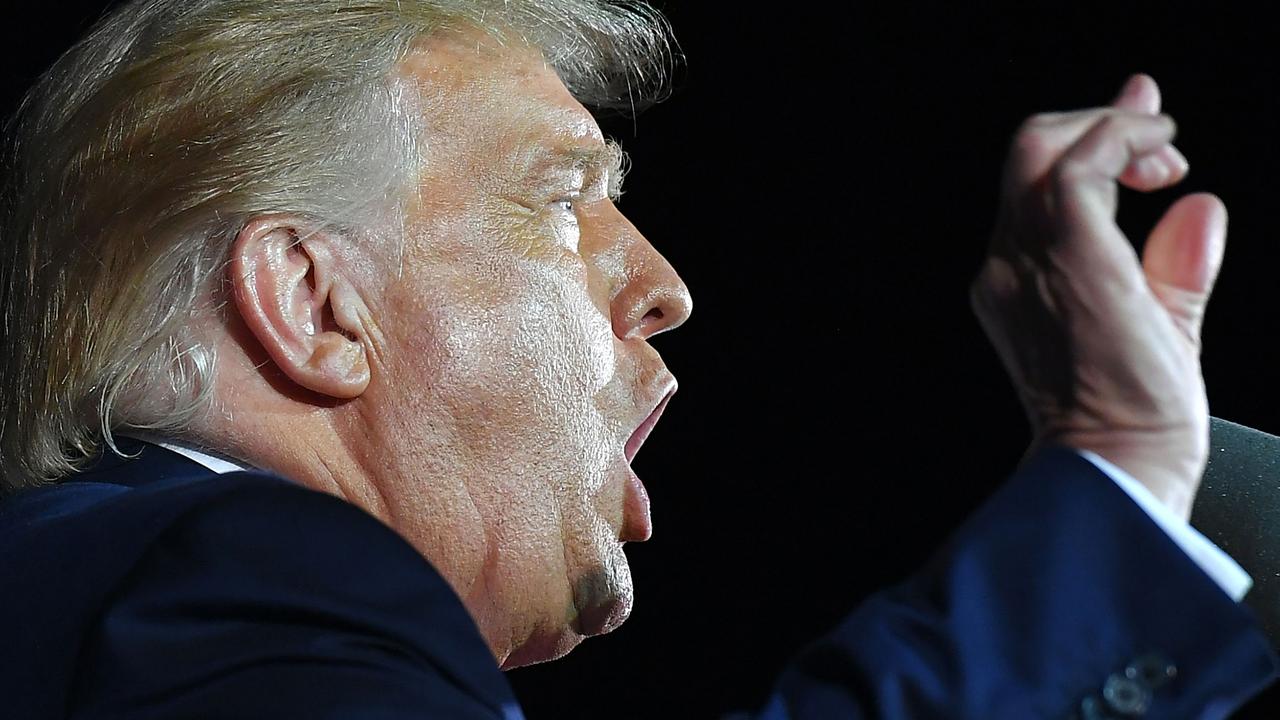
(515,358)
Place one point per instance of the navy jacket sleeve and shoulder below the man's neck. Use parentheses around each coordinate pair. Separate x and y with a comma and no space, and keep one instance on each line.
(275,603)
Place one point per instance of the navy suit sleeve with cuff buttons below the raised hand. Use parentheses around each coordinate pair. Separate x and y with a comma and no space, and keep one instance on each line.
(1059,599)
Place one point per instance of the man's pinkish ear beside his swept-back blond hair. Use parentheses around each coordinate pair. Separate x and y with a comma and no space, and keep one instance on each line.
(292,289)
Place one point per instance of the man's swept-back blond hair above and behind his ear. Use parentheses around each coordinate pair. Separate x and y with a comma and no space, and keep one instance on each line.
(139,157)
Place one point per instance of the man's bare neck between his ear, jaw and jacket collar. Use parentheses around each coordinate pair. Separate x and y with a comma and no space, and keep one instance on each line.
(409,471)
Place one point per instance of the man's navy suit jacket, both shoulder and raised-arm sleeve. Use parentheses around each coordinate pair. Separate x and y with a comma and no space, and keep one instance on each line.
(154,589)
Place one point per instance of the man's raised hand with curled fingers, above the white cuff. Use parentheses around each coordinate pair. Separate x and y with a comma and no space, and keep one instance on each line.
(1103,347)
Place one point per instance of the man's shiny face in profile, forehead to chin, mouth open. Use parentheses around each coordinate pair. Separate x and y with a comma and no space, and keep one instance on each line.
(519,381)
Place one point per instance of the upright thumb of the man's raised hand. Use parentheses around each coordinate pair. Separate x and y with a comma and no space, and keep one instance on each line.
(1183,257)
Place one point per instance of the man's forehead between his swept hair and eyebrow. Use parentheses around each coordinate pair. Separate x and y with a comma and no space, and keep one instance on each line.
(504,95)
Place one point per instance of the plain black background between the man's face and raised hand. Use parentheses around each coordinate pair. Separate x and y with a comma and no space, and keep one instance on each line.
(825,180)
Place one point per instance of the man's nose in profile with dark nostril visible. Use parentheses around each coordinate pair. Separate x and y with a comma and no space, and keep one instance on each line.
(651,298)
